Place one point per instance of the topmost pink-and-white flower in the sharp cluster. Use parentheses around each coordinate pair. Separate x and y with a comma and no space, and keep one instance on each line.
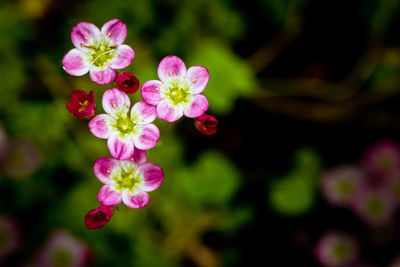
(99,52)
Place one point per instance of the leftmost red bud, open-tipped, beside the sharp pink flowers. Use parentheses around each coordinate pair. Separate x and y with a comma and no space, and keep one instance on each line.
(82,105)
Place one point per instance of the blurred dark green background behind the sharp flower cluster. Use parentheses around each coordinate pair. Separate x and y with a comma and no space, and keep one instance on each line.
(300,88)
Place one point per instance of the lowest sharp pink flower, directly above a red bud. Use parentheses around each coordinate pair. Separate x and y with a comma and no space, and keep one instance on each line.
(127,180)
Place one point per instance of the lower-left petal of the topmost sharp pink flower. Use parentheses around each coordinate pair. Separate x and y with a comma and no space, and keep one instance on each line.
(74,64)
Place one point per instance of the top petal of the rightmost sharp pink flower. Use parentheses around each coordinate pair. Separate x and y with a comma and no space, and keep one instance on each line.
(171,66)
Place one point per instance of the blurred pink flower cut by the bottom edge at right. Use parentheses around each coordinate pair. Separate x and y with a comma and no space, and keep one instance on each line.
(336,249)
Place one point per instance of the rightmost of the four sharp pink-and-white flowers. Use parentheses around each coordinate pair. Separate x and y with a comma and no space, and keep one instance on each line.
(178,92)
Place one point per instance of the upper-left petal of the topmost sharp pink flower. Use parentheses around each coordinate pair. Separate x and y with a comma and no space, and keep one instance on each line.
(83,33)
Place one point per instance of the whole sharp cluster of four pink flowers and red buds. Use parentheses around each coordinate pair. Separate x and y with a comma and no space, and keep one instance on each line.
(129,129)
